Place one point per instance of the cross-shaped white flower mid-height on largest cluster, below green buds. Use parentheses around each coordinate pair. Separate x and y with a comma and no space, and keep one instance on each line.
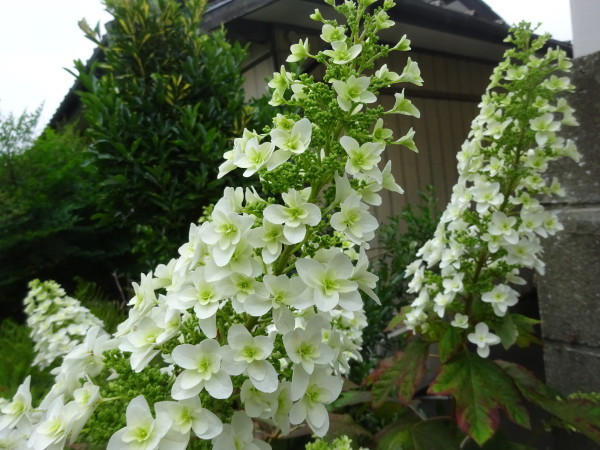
(297,213)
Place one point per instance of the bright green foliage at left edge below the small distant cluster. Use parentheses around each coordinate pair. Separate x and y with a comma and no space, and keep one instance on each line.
(16,362)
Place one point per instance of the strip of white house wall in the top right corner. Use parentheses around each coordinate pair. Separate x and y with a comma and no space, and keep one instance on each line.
(585,17)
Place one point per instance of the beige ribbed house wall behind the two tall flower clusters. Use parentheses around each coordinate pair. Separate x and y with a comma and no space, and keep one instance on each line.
(447,101)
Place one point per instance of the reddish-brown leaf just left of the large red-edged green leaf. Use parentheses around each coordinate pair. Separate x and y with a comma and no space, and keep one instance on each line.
(405,373)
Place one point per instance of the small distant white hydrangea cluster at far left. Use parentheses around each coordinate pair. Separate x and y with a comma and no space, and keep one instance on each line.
(58,322)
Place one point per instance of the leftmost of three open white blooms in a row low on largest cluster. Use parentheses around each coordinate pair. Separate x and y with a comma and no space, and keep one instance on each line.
(202,364)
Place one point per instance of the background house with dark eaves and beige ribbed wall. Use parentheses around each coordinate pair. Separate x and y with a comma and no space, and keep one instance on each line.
(457,43)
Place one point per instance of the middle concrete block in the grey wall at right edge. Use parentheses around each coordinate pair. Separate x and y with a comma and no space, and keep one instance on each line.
(569,293)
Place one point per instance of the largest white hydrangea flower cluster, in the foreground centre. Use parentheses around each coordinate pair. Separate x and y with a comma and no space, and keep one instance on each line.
(264,302)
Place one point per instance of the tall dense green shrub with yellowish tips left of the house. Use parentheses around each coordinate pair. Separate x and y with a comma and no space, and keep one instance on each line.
(161,110)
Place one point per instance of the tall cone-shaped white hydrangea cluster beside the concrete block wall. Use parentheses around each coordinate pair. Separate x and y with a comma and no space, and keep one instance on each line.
(493,224)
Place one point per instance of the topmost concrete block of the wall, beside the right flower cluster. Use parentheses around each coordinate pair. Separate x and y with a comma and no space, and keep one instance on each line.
(582,182)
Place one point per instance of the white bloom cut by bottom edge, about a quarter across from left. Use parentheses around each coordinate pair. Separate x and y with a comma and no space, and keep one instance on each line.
(142,430)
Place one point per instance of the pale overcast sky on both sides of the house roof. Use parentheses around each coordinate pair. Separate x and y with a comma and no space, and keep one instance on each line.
(39,38)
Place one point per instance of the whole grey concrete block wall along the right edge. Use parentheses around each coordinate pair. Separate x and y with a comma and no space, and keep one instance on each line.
(569,292)
